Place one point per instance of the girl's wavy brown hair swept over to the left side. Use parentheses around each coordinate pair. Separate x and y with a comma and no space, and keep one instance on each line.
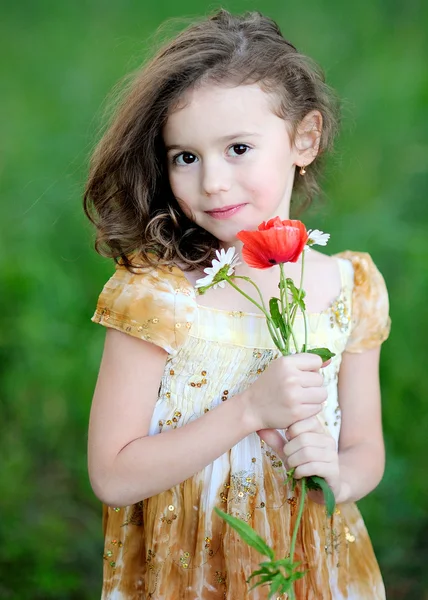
(127,195)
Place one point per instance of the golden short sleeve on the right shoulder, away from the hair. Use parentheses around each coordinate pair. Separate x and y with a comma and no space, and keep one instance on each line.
(370,322)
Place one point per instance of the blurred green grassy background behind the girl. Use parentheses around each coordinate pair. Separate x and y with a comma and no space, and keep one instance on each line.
(60,60)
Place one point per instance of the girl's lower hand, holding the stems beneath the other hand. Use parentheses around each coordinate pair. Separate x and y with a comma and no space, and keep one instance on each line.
(311,450)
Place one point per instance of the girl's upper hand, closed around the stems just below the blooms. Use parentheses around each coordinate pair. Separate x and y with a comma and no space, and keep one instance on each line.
(289,390)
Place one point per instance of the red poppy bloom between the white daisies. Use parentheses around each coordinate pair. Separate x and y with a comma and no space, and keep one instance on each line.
(274,242)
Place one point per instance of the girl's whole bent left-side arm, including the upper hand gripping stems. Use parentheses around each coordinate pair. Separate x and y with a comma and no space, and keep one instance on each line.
(127,465)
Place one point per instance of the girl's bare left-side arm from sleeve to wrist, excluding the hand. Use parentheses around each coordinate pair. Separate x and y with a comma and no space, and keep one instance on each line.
(125,464)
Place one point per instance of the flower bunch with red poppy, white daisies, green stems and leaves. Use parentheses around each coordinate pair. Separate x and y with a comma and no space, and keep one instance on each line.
(275,242)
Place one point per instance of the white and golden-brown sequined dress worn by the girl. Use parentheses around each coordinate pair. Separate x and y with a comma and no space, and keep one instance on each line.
(173,546)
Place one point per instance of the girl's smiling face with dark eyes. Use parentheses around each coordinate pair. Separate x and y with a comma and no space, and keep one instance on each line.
(226,149)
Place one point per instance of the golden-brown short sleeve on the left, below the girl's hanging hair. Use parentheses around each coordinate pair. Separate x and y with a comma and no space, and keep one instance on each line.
(154,305)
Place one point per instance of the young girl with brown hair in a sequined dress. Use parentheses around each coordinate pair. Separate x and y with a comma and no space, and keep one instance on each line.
(216,134)
